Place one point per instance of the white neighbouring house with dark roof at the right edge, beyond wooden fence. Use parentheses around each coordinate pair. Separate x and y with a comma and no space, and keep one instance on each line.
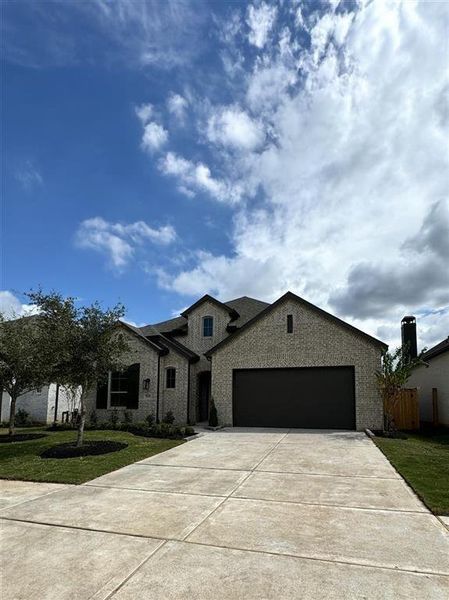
(435,375)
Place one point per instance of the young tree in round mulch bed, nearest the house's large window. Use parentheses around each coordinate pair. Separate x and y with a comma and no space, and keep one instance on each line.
(87,341)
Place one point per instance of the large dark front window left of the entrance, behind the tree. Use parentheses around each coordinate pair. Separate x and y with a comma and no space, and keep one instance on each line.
(120,388)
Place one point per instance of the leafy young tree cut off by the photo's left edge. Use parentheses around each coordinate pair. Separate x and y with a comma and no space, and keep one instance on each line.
(25,359)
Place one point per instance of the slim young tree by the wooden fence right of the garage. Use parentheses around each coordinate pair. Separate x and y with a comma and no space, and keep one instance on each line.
(393,375)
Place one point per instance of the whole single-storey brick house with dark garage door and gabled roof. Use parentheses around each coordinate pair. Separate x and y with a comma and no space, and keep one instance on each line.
(285,364)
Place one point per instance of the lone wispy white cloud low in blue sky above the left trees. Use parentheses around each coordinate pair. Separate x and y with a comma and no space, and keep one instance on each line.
(118,241)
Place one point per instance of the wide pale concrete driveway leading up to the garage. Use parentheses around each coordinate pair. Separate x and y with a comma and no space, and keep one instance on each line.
(253,514)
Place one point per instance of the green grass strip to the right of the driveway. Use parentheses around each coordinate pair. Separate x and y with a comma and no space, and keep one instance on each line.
(423,461)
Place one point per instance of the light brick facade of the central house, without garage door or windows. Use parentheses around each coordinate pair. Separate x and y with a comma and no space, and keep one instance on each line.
(317,340)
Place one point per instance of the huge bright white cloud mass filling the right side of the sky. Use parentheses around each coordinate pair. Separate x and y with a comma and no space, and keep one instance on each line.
(355,159)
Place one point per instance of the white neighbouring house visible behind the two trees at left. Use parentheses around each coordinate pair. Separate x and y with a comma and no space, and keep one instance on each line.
(40,405)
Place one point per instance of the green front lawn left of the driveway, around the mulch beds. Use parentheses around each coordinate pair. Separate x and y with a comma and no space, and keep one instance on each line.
(21,460)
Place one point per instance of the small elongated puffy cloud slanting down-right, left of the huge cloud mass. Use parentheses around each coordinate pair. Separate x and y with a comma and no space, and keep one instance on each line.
(197,177)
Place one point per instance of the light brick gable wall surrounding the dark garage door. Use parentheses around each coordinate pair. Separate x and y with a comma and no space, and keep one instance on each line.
(315,341)
